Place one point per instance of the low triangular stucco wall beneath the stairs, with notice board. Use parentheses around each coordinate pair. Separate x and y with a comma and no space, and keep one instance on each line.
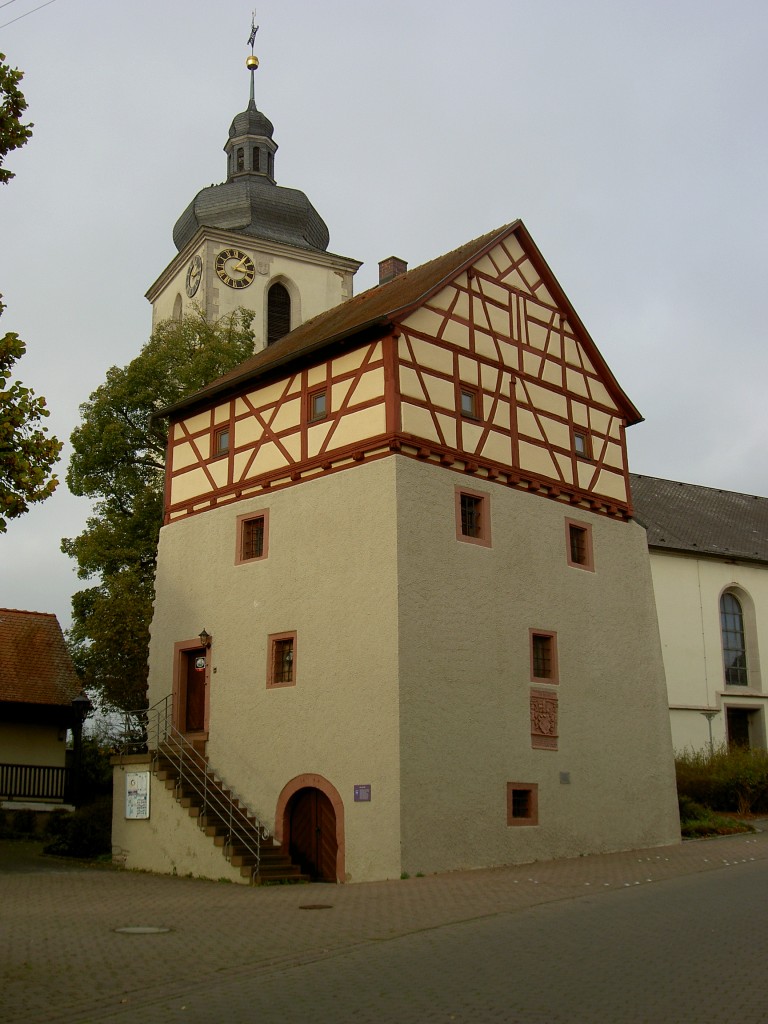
(169,841)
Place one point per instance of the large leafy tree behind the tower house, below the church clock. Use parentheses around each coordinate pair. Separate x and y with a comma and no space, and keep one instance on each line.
(119,461)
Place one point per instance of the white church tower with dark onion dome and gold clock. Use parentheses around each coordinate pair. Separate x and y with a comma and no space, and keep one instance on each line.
(251,243)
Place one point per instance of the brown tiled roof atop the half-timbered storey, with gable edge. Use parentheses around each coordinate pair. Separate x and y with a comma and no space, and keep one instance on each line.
(386,305)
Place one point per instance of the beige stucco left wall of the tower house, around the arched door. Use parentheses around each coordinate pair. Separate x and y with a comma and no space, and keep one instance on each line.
(330,576)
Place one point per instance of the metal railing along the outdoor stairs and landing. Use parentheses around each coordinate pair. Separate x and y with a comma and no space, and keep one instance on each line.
(152,732)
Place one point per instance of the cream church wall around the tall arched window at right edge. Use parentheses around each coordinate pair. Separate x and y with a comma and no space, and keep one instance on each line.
(688,592)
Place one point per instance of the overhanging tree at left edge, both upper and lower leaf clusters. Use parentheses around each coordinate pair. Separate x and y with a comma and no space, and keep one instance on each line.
(27,453)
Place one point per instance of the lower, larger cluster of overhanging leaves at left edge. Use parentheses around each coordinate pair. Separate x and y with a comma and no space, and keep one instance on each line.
(28,454)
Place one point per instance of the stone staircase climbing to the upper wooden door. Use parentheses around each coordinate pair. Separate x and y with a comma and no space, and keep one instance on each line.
(243,840)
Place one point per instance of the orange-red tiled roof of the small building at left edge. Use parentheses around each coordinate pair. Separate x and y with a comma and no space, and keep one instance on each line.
(35,666)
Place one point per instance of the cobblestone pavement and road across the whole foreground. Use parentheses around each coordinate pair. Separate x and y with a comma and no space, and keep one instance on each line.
(669,936)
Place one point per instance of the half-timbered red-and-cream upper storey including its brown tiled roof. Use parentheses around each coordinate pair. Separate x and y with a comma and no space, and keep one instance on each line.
(476,362)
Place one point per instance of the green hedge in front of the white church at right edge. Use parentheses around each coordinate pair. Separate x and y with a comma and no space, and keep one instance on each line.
(726,780)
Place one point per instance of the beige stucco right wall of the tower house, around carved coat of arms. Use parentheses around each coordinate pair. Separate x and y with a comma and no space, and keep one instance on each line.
(465,614)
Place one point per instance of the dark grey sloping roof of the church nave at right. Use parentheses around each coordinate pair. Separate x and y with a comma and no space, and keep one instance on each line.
(702,521)
